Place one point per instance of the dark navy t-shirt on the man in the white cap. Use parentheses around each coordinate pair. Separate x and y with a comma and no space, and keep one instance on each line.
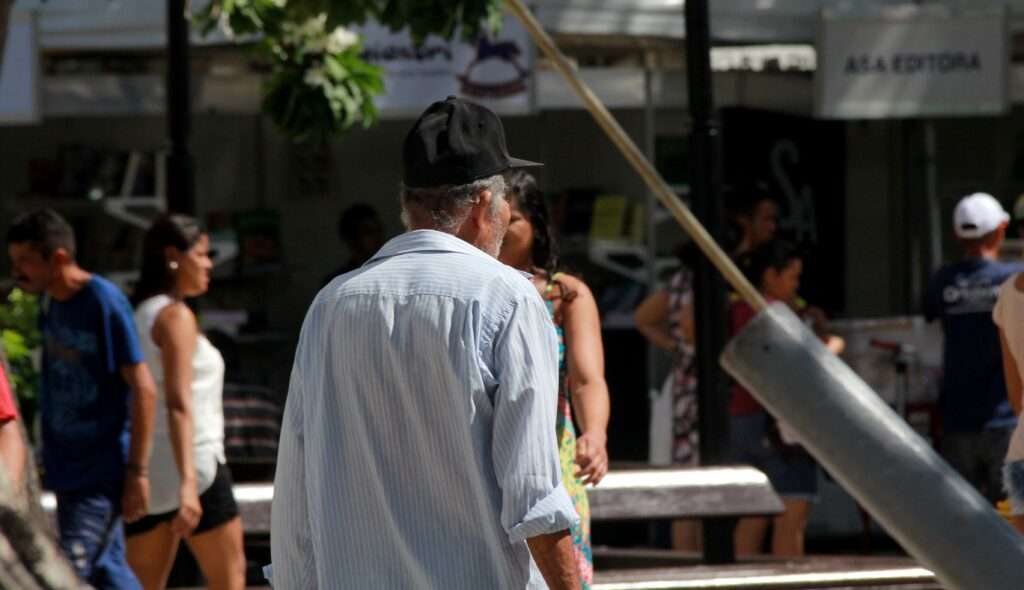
(973,396)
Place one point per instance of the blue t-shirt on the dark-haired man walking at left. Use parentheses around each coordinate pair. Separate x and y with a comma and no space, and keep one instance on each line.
(84,401)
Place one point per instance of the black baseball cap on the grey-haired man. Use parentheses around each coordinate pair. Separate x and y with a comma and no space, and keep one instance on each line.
(456,142)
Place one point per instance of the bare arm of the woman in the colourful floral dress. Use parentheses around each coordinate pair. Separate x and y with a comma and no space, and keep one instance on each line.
(585,356)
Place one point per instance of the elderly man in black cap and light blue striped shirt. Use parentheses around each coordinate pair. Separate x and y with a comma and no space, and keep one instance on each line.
(418,446)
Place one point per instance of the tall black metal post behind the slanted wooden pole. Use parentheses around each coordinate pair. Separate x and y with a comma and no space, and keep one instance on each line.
(706,183)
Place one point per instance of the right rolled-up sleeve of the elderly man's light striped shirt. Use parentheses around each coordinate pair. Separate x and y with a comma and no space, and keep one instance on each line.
(525,447)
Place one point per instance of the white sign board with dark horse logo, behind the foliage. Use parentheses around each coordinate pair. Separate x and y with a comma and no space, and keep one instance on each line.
(496,72)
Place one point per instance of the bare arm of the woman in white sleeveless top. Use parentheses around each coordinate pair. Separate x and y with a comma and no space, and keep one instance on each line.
(177,332)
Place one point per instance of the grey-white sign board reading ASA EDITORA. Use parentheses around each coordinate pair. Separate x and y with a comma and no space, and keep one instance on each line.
(913,64)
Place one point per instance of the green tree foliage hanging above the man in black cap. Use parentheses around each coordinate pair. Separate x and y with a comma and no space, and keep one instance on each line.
(321,86)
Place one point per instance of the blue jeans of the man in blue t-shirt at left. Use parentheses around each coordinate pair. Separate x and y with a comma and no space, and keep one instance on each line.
(93,537)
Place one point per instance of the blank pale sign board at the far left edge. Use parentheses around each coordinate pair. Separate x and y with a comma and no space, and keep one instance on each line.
(20,72)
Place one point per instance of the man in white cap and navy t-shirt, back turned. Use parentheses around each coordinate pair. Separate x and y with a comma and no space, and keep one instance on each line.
(977,419)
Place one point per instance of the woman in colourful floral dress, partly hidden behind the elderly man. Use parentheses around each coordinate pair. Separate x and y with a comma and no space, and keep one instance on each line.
(583,394)
